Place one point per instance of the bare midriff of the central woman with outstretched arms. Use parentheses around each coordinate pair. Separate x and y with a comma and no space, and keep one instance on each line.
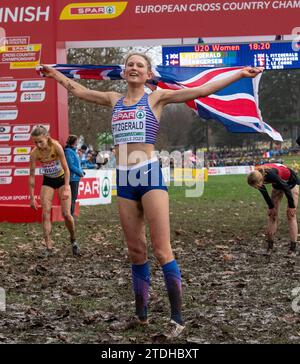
(133,153)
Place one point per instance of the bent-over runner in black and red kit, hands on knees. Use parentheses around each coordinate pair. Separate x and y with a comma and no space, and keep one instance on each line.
(284,181)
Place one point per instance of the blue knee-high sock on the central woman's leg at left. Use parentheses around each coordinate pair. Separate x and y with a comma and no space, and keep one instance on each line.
(141,283)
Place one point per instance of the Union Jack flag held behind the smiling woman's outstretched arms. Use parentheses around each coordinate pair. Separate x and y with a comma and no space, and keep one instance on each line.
(235,106)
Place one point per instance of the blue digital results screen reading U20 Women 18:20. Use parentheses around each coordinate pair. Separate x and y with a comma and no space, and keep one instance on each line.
(271,55)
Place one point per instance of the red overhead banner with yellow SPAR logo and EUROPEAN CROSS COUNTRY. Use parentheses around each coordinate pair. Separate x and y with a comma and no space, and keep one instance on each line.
(173,19)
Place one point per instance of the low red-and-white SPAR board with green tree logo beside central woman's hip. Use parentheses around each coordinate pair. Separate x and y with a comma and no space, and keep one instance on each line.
(95,188)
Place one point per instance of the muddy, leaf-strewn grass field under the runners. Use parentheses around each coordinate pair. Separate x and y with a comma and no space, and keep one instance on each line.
(233,293)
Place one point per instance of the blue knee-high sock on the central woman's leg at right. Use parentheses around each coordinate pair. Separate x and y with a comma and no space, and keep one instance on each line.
(173,283)
